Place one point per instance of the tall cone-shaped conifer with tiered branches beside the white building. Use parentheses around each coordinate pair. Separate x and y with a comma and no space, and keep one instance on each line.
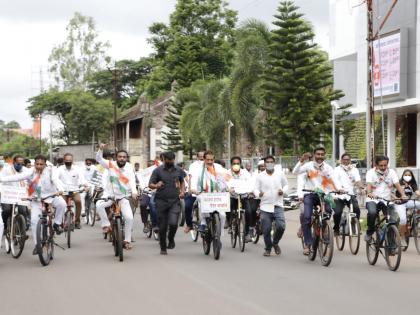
(297,87)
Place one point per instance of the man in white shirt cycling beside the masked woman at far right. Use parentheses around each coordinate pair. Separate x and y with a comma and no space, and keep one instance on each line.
(380,182)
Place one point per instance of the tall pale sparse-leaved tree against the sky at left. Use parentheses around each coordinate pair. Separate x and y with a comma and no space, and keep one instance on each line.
(75,60)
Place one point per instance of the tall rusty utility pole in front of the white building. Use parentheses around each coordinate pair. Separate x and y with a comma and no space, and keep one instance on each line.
(370,108)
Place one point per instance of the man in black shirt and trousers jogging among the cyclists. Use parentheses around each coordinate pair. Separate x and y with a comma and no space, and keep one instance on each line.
(168,180)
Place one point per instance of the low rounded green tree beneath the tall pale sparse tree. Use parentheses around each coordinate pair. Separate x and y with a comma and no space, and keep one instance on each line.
(80,114)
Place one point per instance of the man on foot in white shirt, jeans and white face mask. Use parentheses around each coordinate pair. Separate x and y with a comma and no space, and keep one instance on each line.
(270,186)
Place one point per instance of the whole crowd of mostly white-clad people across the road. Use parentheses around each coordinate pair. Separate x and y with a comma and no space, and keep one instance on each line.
(168,188)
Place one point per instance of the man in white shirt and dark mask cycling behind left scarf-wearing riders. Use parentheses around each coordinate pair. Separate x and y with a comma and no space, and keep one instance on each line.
(72,177)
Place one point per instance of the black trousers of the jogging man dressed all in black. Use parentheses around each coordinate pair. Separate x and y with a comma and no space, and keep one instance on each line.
(168,212)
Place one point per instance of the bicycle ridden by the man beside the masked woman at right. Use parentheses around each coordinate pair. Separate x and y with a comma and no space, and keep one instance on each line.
(386,236)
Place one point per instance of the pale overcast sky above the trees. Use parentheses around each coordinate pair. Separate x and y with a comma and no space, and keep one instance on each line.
(29,29)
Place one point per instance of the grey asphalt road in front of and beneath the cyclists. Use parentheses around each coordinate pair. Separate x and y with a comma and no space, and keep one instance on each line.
(88,279)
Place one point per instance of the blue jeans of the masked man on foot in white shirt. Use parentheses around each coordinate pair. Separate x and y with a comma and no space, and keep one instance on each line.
(266,219)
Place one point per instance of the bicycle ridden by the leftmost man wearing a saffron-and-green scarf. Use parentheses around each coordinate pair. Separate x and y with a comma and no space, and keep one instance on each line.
(45,233)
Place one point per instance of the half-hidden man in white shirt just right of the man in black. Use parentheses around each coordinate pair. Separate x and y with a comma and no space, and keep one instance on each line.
(193,171)
